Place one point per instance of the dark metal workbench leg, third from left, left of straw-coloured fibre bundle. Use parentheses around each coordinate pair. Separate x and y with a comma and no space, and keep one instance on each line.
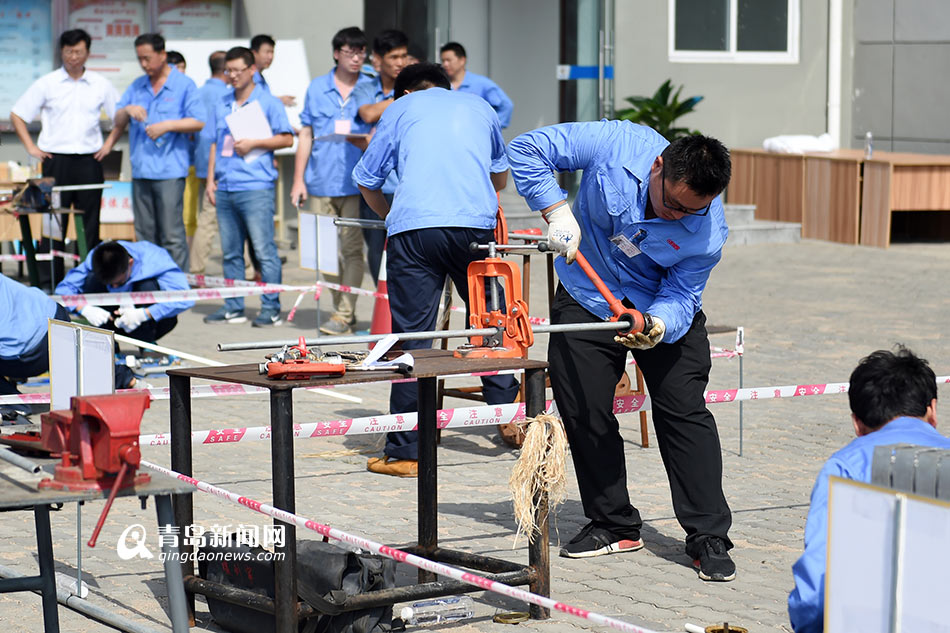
(428,485)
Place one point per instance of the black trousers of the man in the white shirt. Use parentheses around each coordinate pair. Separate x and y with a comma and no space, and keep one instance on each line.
(73,169)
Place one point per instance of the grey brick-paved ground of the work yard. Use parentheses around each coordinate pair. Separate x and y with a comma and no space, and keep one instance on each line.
(810,310)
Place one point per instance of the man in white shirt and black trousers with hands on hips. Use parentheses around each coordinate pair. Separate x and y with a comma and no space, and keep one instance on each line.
(69,102)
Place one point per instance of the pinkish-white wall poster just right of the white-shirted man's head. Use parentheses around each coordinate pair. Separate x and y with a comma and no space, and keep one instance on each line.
(113,25)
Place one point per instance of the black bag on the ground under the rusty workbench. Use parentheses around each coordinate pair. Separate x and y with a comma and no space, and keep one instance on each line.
(326,575)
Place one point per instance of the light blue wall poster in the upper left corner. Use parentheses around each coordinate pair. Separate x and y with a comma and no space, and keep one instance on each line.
(26,47)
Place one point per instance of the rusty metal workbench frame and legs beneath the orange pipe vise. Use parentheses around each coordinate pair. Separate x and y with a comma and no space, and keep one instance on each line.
(429,365)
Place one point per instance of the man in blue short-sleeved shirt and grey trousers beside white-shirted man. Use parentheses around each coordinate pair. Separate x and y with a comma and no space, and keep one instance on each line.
(163,108)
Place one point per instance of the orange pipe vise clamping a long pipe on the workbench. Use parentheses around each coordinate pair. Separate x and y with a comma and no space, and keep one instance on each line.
(515,335)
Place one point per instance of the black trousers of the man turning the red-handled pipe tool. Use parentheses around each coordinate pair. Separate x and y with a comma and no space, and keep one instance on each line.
(585,368)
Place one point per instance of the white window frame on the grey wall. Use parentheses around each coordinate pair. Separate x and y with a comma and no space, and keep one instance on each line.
(732,55)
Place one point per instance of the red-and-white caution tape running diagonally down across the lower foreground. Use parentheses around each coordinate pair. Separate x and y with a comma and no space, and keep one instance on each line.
(399,555)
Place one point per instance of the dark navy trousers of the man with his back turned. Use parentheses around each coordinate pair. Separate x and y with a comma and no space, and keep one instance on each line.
(416,267)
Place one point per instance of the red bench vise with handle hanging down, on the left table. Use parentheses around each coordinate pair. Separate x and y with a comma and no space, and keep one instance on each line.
(98,441)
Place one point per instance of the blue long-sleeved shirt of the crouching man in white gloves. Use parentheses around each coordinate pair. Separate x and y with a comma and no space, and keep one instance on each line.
(148,262)
